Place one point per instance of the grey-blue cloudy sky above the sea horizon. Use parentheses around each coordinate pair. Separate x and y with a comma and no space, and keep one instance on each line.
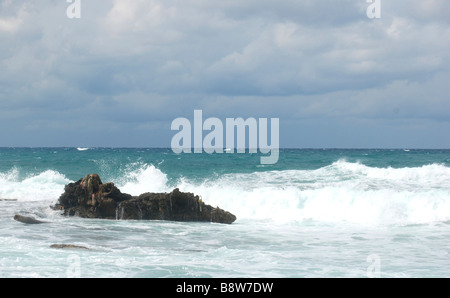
(120,74)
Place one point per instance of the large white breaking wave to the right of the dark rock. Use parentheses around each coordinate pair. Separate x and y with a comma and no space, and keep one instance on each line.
(341,192)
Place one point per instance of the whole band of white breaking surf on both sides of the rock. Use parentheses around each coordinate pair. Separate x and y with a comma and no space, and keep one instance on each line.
(340,192)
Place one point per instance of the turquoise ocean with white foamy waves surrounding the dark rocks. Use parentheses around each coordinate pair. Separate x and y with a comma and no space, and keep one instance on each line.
(315,213)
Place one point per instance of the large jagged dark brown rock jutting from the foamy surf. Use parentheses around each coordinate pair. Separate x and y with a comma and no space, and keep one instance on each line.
(89,197)
